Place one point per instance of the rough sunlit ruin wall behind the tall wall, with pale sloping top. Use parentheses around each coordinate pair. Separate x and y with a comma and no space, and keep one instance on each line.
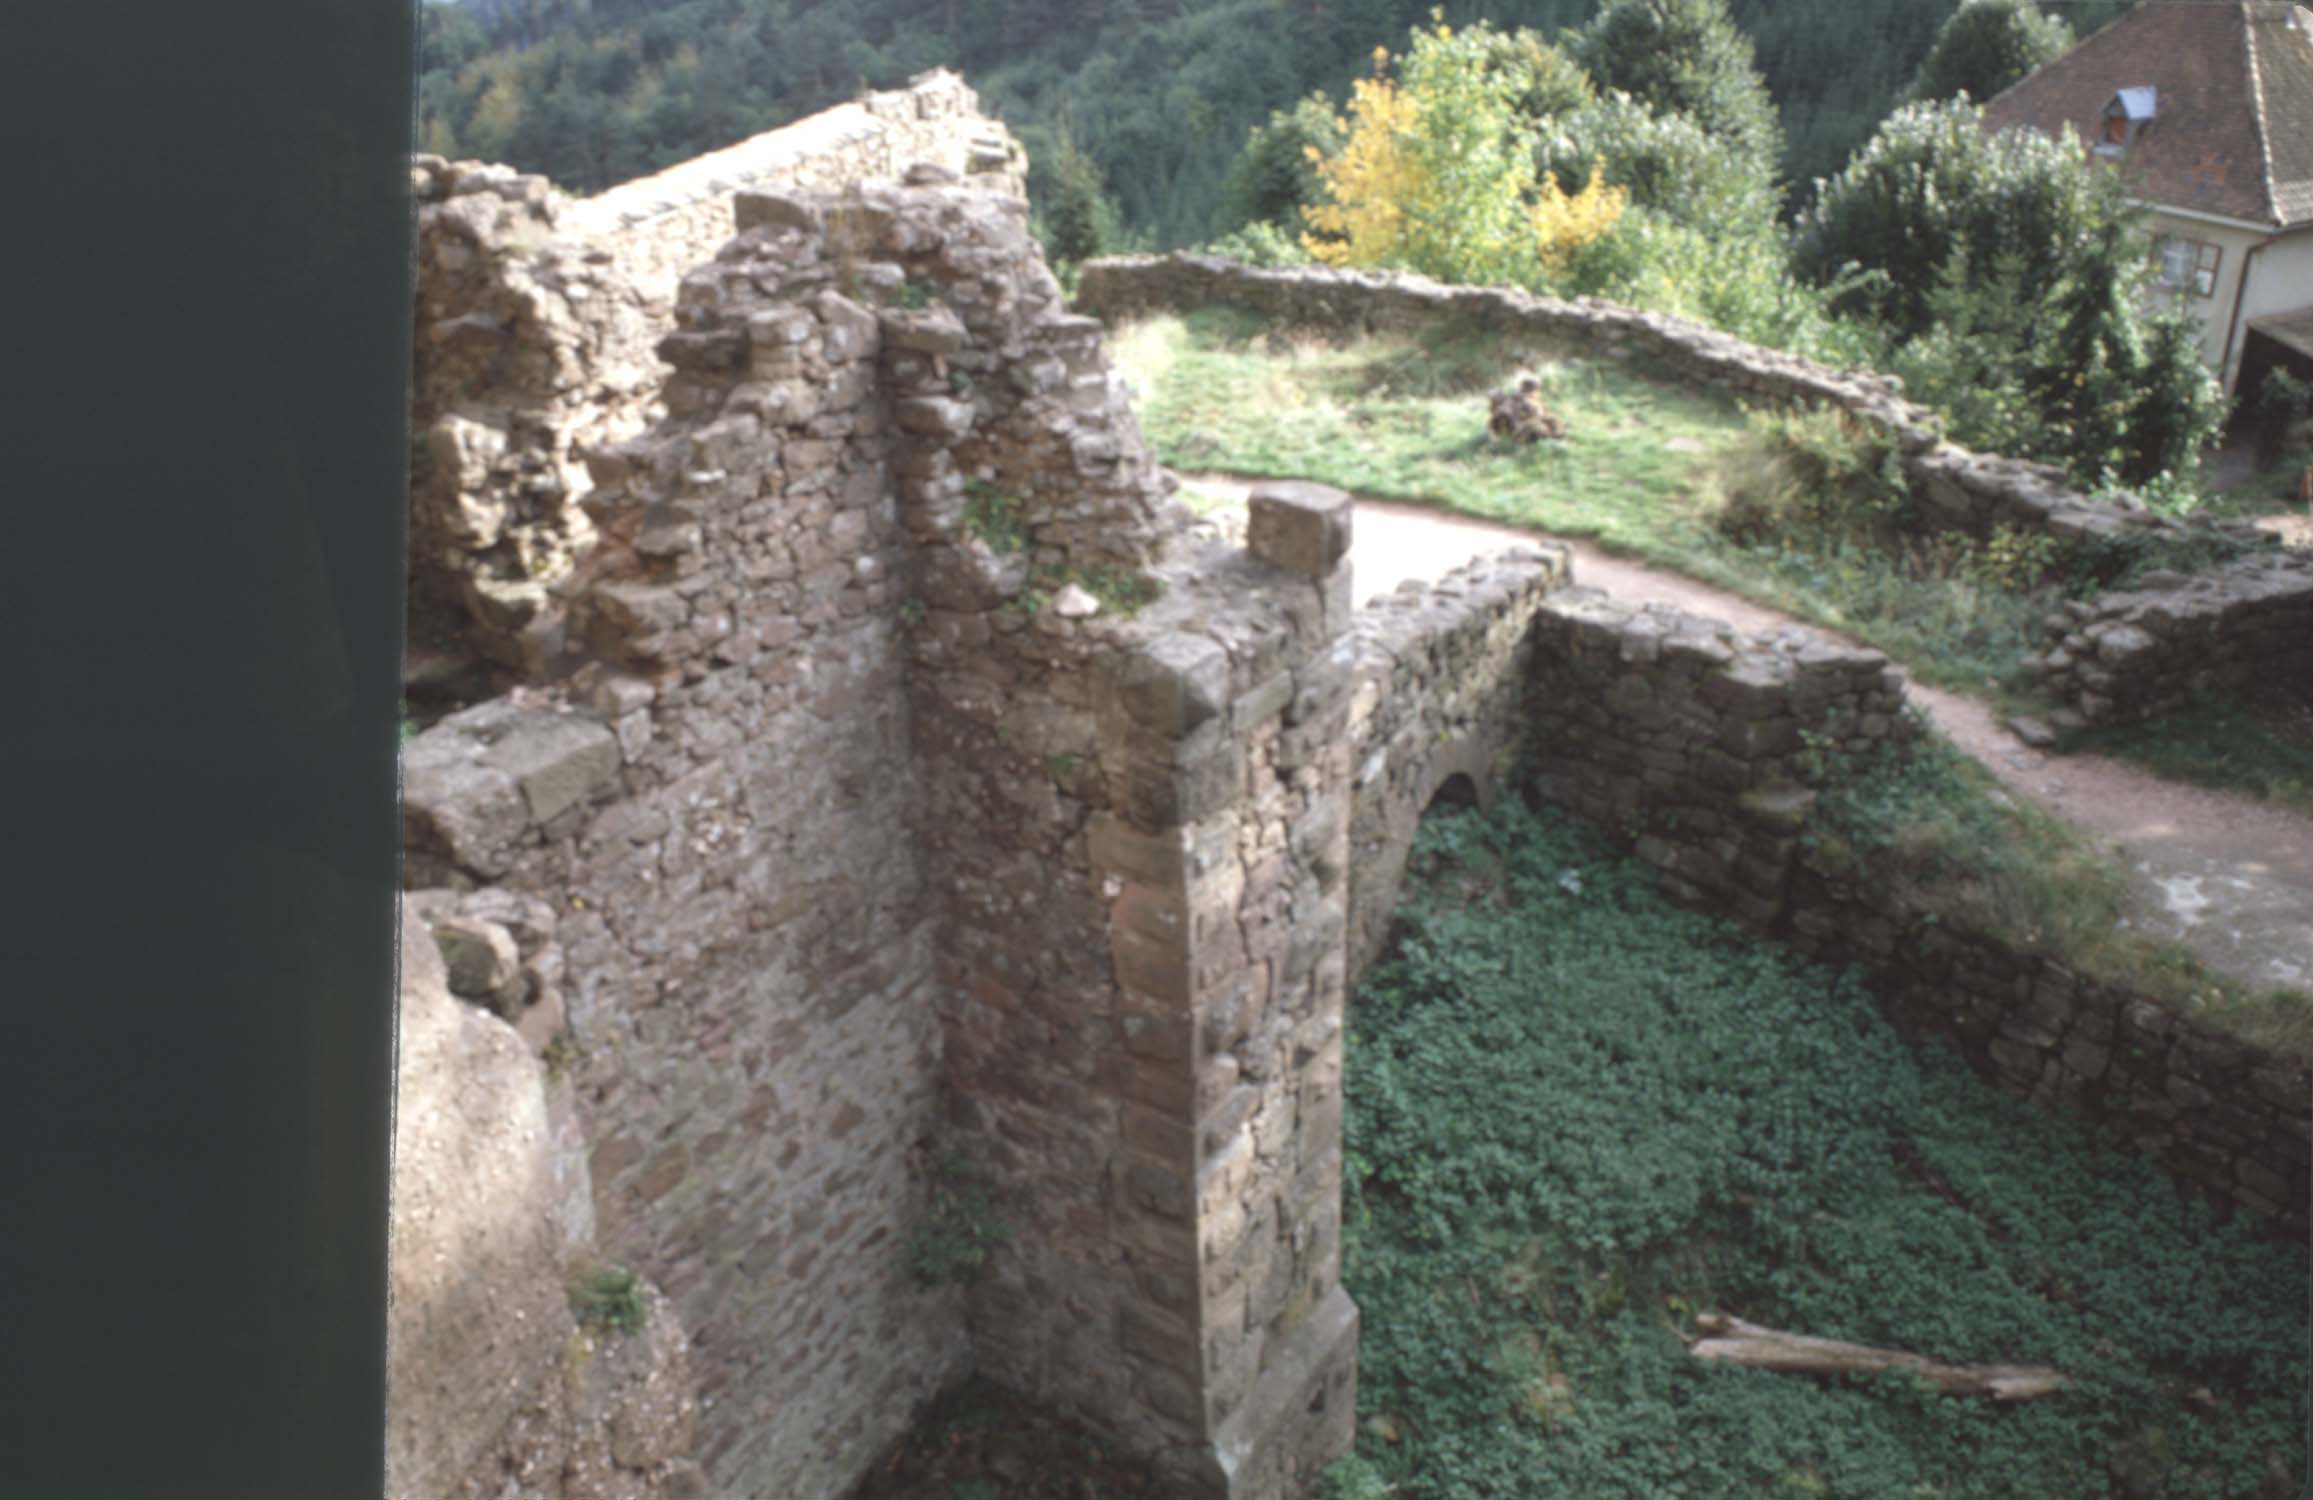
(535,325)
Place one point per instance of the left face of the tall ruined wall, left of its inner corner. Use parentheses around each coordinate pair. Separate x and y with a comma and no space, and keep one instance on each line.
(723,810)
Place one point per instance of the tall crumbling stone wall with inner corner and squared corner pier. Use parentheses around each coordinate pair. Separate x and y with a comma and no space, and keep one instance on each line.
(885,822)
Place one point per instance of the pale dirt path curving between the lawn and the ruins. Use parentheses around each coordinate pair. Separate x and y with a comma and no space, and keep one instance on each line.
(2229,877)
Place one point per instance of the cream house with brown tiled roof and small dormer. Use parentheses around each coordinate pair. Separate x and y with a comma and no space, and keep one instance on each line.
(2208,112)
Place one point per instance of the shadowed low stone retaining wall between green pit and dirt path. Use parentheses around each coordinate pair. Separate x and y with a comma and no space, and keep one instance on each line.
(1699,750)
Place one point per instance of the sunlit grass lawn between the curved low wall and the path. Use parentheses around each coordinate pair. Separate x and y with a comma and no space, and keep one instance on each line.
(1643,473)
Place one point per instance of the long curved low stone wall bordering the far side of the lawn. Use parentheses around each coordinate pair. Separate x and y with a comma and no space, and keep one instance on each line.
(1963,491)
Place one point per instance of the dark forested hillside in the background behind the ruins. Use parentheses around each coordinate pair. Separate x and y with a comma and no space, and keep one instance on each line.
(1158,94)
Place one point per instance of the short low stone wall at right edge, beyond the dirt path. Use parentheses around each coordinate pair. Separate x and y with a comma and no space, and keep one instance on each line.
(2168,639)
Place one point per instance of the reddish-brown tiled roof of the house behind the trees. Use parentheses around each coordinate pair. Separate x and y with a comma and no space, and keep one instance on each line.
(2236,117)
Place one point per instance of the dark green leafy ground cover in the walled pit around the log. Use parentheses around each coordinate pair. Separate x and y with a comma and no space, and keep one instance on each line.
(1579,1117)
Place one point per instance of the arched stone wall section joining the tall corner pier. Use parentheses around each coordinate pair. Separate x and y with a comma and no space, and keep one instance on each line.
(1444,690)
